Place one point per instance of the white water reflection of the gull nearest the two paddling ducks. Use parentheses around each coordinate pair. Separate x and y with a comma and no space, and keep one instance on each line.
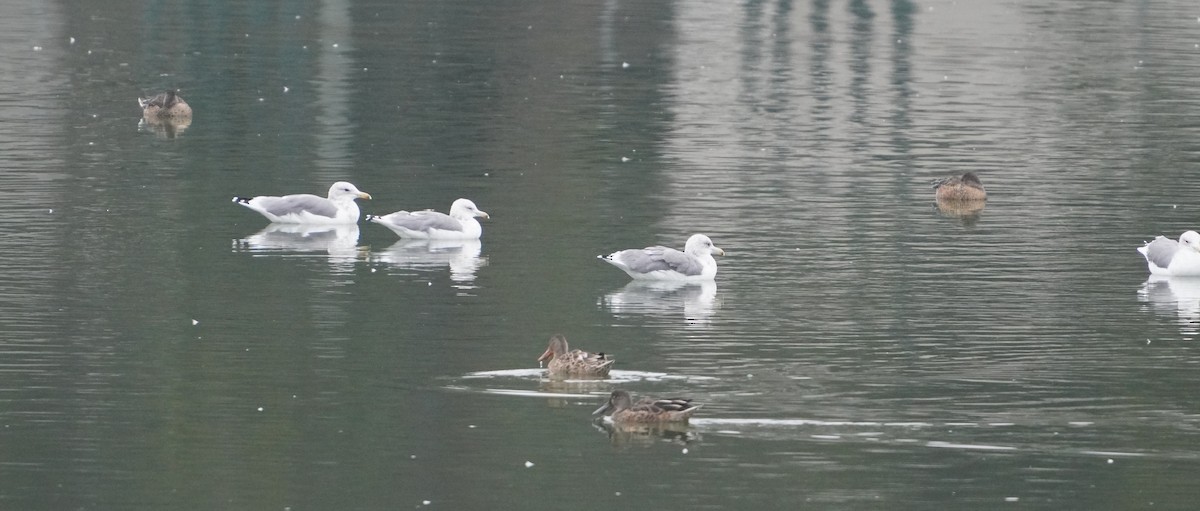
(697,300)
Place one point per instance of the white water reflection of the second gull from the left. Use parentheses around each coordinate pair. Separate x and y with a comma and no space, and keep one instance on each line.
(463,257)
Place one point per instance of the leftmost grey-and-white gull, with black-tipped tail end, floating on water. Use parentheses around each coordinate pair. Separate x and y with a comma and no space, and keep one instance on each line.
(338,209)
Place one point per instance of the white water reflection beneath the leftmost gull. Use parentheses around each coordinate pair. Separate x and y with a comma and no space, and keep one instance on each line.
(339,242)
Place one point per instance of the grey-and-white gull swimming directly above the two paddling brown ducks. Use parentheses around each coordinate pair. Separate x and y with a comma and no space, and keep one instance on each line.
(695,263)
